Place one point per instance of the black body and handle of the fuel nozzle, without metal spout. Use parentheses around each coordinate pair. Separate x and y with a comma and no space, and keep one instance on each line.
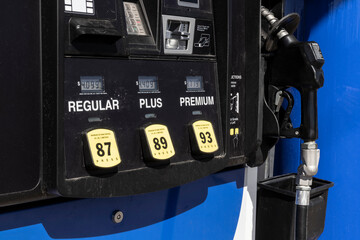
(299,66)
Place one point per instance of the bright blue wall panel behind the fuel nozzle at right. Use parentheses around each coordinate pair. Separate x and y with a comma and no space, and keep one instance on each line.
(335,24)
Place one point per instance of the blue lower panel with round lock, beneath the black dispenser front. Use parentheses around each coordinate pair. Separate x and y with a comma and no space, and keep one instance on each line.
(205,209)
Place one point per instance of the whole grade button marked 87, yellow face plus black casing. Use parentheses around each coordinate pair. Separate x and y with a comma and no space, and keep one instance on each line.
(101,150)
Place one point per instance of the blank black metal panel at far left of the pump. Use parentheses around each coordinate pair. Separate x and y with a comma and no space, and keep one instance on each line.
(20,97)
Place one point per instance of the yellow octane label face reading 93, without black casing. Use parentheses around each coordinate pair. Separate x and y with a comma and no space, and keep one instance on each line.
(205,136)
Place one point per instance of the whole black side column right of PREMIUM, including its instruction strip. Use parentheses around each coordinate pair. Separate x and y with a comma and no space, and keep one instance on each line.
(238,51)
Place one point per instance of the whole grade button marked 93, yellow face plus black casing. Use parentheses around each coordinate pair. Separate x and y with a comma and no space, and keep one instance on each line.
(203,139)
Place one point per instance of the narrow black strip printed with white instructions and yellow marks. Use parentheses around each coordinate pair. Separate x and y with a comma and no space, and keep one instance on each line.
(236,77)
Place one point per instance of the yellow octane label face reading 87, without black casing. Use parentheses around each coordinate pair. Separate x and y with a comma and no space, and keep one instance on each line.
(103,148)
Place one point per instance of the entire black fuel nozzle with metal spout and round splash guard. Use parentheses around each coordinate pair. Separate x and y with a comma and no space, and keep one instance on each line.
(295,64)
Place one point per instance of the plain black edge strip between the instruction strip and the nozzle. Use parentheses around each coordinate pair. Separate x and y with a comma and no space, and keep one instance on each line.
(254,86)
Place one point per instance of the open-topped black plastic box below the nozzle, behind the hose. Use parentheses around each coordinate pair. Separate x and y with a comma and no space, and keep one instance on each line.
(275,217)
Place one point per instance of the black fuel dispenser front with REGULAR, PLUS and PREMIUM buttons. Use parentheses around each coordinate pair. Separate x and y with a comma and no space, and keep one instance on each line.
(130,96)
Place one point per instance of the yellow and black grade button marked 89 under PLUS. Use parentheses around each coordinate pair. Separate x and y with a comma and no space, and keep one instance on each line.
(157,144)
